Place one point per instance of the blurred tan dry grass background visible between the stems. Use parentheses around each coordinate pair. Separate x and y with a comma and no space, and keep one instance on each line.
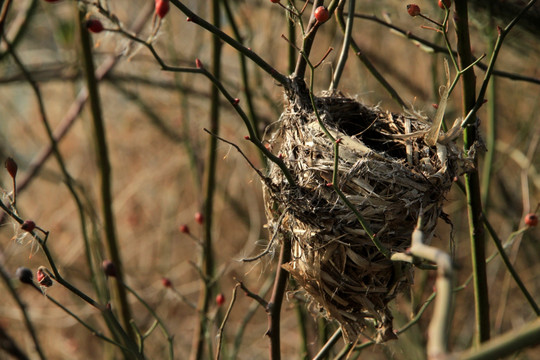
(156,189)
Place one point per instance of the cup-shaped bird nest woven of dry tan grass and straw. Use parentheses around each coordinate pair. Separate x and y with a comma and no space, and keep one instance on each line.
(387,172)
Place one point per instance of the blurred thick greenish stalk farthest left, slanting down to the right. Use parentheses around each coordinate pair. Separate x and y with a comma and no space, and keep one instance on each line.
(105,172)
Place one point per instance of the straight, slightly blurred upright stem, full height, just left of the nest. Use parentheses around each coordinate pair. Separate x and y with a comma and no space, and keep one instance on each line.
(208,205)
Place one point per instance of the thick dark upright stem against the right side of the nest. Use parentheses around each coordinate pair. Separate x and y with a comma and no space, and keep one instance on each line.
(472,181)
